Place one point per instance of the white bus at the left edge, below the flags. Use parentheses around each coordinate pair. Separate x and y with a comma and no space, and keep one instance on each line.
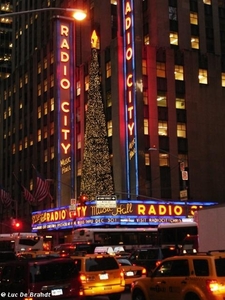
(22,241)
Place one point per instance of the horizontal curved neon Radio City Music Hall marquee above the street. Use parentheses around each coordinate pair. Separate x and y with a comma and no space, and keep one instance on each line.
(138,213)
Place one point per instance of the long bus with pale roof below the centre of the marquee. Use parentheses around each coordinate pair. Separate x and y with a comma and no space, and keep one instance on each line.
(129,238)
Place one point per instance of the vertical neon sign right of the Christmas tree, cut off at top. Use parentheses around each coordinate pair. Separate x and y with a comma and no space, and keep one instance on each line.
(130,96)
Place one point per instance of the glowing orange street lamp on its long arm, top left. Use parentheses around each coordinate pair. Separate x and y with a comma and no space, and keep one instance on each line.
(78,14)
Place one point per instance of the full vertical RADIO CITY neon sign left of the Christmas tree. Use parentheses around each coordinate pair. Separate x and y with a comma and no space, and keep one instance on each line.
(65,109)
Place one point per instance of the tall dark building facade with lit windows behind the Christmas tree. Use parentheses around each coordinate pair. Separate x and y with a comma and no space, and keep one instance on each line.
(162,66)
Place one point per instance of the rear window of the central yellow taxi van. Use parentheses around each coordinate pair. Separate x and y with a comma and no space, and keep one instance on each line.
(101,264)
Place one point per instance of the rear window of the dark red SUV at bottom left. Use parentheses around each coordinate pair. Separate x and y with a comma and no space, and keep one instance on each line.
(52,271)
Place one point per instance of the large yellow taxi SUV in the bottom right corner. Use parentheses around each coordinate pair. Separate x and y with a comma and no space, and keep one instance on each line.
(187,277)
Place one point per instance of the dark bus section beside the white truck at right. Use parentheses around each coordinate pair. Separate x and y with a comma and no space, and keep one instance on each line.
(174,234)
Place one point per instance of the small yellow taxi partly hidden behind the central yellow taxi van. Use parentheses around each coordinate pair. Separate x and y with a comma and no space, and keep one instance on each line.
(131,271)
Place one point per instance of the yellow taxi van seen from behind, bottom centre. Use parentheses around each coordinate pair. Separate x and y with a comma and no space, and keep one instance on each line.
(101,275)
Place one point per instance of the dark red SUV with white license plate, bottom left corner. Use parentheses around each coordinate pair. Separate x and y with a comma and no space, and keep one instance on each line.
(56,278)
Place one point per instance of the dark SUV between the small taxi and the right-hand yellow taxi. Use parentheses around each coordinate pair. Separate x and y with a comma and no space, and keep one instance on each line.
(151,257)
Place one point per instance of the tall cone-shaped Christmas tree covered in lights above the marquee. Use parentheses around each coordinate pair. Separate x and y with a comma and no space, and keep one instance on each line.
(96,177)
